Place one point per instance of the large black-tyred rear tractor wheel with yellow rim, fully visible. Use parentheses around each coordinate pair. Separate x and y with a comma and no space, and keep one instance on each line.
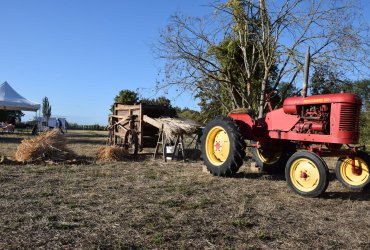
(223,146)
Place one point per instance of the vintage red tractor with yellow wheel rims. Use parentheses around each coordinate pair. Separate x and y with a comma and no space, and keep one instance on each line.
(295,138)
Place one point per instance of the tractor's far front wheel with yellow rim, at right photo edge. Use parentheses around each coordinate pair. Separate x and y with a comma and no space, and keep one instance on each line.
(355,178)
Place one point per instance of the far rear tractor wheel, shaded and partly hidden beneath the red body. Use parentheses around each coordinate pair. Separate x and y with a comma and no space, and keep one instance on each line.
(271,157)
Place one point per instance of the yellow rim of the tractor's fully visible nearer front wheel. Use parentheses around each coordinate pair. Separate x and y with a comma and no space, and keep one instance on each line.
(305,175)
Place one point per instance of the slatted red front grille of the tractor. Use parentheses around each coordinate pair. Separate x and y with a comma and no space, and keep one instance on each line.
(349,118)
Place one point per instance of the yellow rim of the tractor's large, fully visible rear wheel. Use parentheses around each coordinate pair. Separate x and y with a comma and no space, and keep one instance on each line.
(217,146)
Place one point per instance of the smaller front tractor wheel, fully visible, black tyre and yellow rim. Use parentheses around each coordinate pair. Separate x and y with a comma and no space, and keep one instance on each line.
(307,174)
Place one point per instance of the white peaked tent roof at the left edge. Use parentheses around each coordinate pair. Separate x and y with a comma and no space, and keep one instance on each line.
(11,100)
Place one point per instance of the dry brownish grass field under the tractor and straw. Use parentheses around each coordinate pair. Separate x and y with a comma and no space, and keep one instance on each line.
(146,203)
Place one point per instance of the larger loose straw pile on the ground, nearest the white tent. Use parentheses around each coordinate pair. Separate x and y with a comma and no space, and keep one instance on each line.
(50,145)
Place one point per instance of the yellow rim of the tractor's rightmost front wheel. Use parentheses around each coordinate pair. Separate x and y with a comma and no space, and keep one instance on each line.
(354,179)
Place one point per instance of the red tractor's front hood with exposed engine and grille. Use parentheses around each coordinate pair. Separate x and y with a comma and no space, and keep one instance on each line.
(334,115)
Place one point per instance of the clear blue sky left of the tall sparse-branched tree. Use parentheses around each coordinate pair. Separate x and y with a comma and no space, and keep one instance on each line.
(80,54)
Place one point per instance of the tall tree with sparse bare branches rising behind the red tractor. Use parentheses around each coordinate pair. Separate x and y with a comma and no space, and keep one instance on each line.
(248,47)
